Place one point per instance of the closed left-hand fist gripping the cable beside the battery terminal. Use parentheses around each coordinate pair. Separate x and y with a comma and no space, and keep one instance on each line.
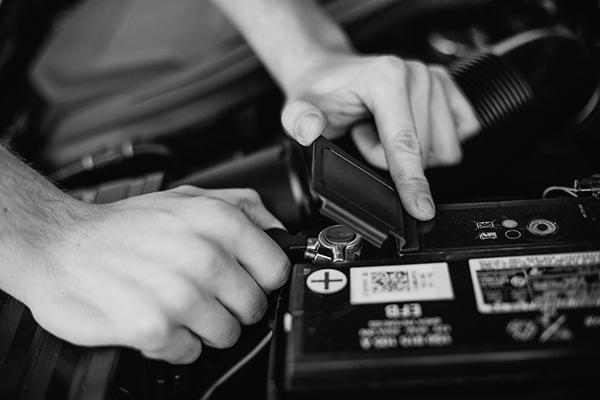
(164,273)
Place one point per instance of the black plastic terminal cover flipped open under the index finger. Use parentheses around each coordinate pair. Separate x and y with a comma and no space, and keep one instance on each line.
(353,195)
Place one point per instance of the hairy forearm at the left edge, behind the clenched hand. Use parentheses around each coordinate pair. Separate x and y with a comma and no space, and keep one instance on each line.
(32,214)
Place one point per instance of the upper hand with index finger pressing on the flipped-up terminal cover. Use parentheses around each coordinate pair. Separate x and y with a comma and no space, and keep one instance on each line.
(420,114)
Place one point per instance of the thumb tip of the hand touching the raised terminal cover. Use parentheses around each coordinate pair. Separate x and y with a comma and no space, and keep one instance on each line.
(303,121)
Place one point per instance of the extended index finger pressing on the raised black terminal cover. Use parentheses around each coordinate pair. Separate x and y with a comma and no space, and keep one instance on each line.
(396,126)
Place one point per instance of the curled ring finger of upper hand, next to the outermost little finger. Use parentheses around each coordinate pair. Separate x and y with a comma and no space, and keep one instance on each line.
(445,147)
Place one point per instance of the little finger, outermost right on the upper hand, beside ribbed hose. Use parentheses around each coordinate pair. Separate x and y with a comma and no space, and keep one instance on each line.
(463,113)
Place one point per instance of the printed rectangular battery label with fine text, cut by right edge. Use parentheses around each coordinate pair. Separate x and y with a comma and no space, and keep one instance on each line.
(536,282)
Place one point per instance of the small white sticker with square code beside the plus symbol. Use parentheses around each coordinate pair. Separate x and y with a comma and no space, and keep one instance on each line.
(400,283)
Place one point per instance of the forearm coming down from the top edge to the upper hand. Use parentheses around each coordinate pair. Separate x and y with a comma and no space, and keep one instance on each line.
(291,37)
